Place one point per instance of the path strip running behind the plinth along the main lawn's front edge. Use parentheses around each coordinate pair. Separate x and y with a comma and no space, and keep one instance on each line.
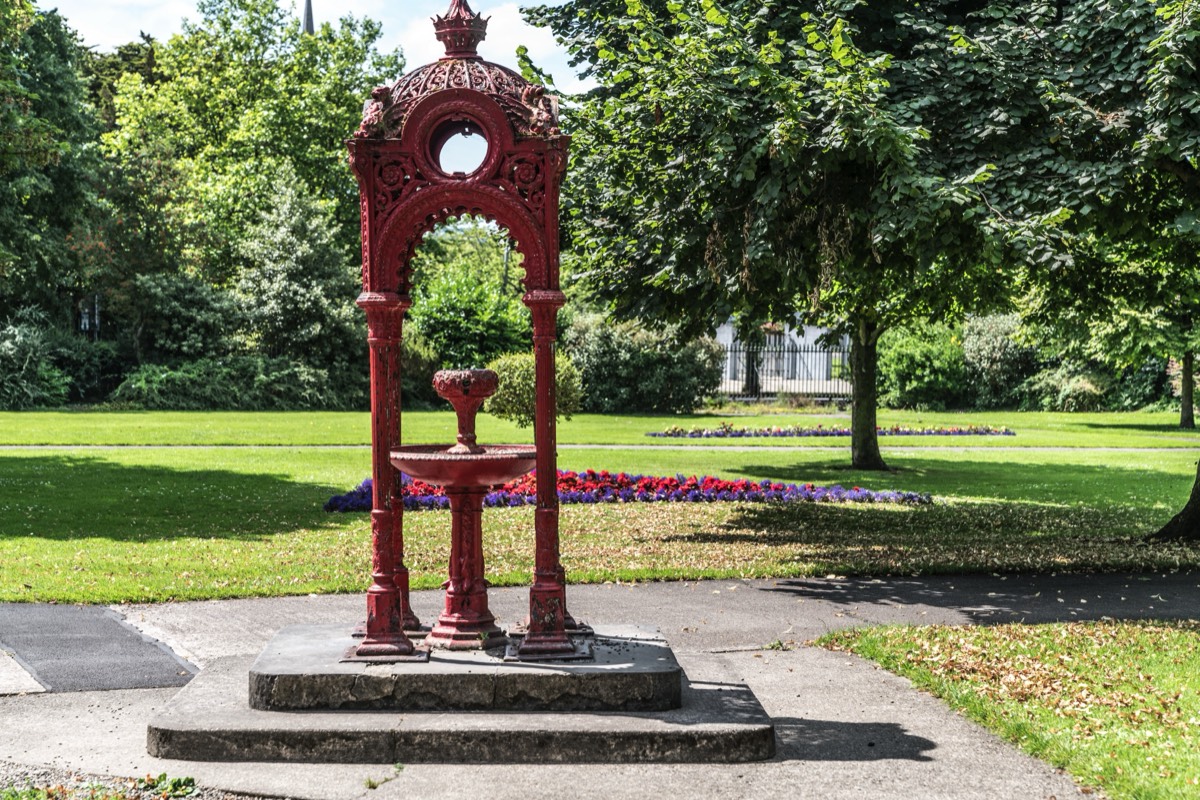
(719,615)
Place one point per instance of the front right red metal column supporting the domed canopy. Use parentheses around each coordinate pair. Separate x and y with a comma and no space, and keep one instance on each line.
(548,598)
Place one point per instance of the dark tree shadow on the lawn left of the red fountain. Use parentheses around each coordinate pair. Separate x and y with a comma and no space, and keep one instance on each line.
(61,497)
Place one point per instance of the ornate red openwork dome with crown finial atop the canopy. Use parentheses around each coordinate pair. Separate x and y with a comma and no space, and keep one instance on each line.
(530,111)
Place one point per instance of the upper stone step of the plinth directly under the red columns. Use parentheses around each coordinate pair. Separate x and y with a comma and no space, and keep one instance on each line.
(303,667)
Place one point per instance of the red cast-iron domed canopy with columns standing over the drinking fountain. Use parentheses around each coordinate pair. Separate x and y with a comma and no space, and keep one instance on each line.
(405,193)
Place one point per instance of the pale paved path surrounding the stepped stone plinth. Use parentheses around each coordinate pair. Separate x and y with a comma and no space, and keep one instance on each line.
(845,729)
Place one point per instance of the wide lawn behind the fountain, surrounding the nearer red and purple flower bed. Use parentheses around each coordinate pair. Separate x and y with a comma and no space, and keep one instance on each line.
(158,524)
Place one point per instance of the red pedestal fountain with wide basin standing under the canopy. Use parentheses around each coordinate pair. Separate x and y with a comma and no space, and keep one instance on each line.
(466,471)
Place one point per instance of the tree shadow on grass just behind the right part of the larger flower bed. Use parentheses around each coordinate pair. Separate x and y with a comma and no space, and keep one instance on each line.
(1060,484)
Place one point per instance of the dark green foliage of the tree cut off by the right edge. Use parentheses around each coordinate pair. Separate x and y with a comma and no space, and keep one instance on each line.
(1126,99)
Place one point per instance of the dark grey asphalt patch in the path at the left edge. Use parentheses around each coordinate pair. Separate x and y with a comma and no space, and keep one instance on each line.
(85,648)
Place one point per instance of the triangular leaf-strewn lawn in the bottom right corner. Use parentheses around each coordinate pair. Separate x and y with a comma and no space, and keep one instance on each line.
(1117,705)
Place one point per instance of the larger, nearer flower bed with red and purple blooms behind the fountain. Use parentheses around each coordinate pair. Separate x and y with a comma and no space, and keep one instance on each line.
(621,488)
